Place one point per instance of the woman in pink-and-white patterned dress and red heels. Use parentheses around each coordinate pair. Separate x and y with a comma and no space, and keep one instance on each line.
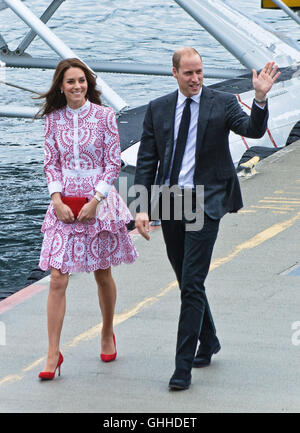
(82,159)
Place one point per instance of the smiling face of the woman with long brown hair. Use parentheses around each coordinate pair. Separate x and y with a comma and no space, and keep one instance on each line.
(74,86)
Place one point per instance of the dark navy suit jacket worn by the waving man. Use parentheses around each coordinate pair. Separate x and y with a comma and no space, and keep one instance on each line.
(219,113)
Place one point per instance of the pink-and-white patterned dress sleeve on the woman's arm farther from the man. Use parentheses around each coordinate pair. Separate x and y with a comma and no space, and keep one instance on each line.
(52,165)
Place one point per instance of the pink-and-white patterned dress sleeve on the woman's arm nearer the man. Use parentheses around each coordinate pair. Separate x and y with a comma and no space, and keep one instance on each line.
(112,154)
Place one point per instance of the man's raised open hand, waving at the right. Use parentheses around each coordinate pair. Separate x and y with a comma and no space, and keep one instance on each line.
(263,82)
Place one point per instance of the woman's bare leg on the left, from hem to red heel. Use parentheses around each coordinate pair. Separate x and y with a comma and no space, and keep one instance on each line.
(56,308)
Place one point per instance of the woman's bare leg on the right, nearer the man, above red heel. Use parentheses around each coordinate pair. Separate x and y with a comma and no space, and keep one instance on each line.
(107,294)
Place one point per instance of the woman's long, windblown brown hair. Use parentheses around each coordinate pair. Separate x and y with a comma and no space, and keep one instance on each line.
(55,99)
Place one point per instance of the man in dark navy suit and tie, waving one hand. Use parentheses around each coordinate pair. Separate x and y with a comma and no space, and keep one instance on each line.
(185,143)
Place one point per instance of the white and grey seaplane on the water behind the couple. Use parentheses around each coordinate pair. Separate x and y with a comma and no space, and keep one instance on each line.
(249,40)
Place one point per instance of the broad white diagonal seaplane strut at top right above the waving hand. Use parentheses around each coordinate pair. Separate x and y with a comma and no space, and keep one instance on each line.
(249,40)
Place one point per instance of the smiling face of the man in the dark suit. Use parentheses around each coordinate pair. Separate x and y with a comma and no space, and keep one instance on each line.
(189,74)
